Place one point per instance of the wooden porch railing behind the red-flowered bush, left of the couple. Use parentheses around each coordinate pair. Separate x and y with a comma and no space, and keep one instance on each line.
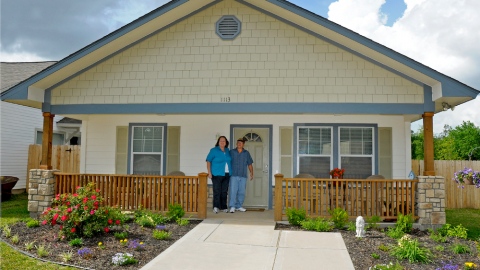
(151,192)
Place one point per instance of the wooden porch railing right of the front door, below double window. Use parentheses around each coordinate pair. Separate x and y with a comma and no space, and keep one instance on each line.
(359,197)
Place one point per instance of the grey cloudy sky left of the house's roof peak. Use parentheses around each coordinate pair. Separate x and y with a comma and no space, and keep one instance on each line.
(53,29)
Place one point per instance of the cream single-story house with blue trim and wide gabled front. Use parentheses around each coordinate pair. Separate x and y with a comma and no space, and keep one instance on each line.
(309,95)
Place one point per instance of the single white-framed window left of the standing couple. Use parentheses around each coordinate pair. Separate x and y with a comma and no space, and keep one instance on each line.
(147,150)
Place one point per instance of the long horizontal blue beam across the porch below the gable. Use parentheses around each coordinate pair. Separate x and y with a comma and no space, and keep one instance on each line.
(192,108)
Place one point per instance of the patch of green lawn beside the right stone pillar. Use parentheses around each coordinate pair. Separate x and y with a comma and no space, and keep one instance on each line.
(469,218)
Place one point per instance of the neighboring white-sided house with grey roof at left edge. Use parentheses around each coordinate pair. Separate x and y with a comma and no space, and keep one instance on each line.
(22,126)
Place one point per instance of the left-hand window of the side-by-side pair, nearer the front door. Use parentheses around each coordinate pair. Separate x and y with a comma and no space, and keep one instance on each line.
(314,148)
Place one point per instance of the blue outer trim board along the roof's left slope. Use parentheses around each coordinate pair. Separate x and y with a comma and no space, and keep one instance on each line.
(23,86)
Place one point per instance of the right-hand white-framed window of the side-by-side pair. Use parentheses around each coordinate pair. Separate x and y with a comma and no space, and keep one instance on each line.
(356,152)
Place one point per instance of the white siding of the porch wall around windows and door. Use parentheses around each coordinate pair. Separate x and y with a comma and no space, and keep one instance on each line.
(199,132)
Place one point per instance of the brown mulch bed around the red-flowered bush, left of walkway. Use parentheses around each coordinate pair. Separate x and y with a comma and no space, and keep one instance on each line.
(102,257)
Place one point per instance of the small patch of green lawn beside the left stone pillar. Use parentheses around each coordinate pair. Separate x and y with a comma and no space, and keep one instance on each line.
(15,209)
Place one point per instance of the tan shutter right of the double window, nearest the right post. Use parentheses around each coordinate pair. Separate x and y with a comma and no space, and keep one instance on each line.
(385,166)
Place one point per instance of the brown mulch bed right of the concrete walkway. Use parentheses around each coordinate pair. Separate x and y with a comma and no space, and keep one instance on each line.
(360,250)
